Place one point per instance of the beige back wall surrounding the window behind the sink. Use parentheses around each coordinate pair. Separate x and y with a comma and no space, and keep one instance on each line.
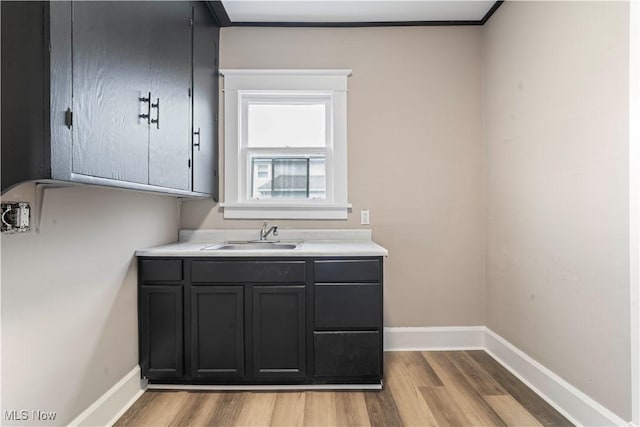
(415,155)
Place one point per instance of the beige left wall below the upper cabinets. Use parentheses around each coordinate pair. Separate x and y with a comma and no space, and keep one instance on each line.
(69,299)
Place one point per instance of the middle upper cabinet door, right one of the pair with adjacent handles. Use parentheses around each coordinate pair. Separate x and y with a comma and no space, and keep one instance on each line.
(170,82)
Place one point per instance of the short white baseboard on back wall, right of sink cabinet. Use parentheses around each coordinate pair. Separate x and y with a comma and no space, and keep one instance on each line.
(436,338)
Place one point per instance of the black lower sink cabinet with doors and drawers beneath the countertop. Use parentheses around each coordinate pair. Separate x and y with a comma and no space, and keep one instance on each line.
(261,321)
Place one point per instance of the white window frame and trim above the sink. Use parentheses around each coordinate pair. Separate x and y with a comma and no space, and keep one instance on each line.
(305,86)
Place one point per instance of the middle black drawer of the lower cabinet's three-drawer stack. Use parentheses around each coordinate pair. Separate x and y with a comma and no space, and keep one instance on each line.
(352,306)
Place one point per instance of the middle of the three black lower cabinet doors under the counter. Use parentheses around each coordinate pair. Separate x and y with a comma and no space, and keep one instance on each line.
(217,331)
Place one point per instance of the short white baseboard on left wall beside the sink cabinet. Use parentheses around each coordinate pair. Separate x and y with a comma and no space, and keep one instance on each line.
(114,403)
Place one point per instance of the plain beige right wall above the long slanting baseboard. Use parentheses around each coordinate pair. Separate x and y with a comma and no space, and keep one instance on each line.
(556,109)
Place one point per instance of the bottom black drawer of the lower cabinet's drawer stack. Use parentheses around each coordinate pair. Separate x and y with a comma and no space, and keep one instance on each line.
(347,354)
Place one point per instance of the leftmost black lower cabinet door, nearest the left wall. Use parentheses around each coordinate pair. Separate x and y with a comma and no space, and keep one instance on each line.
(161,331)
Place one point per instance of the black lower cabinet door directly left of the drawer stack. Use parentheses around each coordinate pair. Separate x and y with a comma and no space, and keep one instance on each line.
(279,331)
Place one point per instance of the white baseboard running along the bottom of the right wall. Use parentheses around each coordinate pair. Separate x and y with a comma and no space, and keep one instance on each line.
(579,408)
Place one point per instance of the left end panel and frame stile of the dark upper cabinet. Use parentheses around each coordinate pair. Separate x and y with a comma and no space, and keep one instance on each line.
(36,91)
